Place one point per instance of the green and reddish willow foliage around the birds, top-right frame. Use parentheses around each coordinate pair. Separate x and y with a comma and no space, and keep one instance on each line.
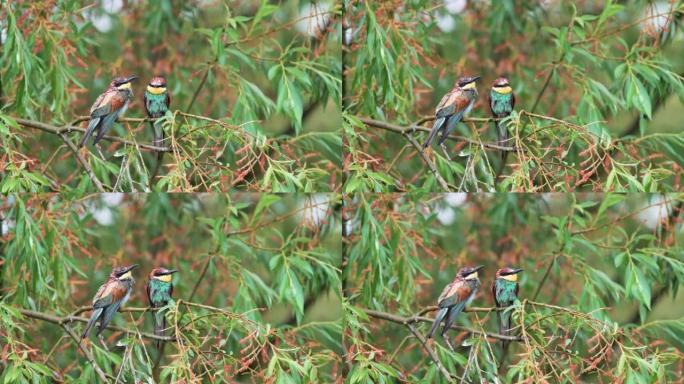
(590,82)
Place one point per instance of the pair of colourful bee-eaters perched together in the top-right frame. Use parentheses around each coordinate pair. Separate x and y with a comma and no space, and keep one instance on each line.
(460,100)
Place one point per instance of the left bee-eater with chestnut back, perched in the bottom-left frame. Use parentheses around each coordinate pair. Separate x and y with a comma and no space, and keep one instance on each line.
(110,297)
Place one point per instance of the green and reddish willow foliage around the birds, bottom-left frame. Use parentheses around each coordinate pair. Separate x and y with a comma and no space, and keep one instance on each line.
(257,295)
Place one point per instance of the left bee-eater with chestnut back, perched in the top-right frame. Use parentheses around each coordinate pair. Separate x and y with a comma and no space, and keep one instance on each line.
(452,108)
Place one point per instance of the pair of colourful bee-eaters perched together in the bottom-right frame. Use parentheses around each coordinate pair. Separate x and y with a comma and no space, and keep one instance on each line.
(461,291)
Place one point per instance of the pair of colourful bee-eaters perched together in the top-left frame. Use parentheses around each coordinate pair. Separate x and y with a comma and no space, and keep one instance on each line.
(111,105)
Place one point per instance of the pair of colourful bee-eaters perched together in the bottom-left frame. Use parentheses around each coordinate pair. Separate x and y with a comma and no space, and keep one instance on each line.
(117,289)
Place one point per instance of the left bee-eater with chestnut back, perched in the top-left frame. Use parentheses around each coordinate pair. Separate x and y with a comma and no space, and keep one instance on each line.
(108,107)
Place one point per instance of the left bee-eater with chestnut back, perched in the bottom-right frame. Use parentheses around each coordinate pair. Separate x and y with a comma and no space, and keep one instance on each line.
(454,298)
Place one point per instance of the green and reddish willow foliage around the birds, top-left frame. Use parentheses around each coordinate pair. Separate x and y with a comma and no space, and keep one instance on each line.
(251,94)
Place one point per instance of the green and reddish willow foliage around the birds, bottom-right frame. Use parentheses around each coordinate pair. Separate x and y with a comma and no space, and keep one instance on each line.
(598,296)
